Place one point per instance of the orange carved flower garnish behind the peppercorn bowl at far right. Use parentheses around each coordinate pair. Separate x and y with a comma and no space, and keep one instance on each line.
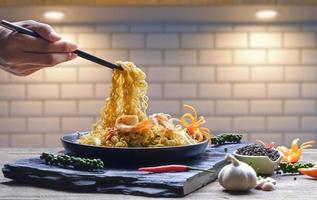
(293,155)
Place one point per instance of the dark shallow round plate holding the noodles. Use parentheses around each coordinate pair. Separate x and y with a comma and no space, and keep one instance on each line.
(132,155)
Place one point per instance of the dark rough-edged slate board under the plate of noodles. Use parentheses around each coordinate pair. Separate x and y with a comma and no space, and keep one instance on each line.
(129,181)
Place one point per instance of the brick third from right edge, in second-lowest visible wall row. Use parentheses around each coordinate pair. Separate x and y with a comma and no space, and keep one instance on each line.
(248,124)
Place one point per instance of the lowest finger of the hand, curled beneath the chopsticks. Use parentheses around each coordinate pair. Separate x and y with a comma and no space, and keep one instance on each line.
(46,59)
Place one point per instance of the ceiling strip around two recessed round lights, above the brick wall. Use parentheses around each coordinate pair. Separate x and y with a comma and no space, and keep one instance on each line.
(228,14)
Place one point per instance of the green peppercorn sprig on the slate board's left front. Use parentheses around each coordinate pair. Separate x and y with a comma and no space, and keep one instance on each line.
(73,162)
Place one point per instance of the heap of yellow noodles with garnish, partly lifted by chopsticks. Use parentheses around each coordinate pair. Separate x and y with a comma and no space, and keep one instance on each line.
(124,122)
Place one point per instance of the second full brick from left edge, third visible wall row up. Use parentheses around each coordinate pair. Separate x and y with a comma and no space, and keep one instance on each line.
(60,108)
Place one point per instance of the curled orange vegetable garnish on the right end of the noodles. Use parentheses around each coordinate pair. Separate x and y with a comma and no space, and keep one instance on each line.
(193,124)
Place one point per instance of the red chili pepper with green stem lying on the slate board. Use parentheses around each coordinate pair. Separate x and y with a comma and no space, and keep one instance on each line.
(171,168)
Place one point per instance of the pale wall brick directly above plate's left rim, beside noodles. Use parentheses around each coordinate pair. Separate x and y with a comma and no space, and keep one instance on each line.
(73,124)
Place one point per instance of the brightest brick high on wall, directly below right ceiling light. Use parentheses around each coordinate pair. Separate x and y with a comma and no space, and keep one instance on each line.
(265,40)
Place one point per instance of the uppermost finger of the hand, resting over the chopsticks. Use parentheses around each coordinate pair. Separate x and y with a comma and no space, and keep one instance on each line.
(44,30)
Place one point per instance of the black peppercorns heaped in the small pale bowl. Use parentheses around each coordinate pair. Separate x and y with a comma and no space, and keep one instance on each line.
(258,150)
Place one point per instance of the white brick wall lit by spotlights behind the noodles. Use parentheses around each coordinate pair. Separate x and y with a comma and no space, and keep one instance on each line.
(258,79)
